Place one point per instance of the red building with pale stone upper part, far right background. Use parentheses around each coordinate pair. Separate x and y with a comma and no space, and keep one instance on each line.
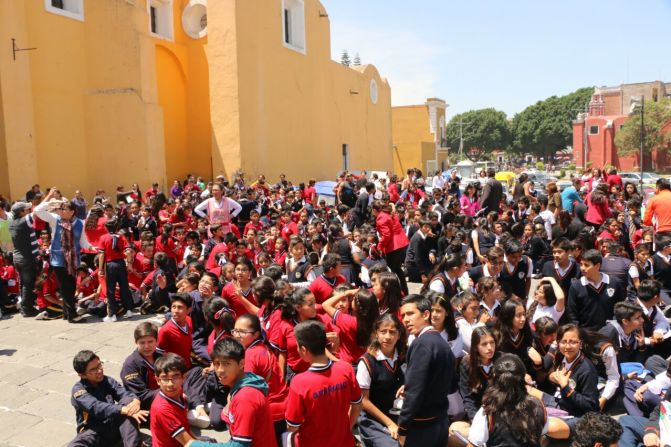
(608,111)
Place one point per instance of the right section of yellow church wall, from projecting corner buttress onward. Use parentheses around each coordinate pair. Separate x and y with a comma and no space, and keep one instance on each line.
(294,111)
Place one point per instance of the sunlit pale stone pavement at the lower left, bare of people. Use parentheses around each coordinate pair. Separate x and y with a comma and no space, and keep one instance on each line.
(36,375)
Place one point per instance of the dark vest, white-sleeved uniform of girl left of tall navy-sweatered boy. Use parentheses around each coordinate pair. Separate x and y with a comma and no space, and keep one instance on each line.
(382,377)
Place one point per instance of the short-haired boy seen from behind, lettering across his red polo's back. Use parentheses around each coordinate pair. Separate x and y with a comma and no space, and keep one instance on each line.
(324,401)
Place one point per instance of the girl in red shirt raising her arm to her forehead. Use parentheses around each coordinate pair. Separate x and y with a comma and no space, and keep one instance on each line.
(355,329)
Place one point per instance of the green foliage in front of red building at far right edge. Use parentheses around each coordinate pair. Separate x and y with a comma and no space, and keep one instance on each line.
(656,115)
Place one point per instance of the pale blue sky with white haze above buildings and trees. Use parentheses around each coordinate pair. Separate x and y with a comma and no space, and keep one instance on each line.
(503,54)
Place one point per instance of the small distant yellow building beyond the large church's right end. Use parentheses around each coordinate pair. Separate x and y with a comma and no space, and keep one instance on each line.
(418,134)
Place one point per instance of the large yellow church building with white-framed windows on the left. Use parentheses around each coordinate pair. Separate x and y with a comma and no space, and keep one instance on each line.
(123,91)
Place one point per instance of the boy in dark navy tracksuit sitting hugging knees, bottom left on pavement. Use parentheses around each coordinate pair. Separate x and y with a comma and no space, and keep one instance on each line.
(106,412)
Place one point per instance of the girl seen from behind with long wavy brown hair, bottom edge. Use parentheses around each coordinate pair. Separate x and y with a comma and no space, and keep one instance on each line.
(509,415)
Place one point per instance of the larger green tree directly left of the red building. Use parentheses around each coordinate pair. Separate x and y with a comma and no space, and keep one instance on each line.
(546,127)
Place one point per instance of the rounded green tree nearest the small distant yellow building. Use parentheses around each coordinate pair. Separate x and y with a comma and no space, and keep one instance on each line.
(484,130)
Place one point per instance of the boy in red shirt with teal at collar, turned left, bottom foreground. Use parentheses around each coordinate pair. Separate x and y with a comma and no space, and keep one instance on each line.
(247,414)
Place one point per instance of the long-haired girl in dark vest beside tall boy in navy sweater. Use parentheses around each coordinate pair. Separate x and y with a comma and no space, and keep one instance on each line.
(380,376)
